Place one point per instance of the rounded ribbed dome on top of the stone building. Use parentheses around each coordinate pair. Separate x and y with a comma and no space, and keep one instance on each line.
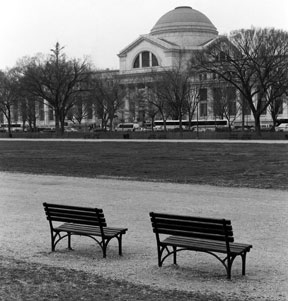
(184,26)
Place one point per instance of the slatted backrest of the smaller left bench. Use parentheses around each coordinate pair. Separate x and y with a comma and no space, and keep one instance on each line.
(74,214)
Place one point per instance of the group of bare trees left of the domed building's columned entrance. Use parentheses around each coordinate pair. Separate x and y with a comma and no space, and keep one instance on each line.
(69,88)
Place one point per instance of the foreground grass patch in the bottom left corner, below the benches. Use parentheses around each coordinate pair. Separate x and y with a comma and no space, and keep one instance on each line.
(22,281)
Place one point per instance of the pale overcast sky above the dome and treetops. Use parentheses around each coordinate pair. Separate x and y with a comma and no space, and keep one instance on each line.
(100,29)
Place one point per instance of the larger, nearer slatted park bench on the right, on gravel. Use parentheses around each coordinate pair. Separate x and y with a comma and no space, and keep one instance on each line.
(176,233)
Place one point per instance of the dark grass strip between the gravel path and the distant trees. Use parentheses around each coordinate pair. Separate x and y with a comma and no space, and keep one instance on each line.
(229,164)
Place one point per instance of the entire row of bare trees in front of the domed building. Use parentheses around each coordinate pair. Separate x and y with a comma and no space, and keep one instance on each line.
(254,62)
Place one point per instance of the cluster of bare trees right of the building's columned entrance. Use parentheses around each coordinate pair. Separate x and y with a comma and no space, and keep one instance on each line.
(250,66)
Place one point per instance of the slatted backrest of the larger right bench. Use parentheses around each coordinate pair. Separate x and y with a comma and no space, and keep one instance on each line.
(189,226)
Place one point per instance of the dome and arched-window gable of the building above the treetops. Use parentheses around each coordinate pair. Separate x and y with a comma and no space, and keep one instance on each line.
(181,30)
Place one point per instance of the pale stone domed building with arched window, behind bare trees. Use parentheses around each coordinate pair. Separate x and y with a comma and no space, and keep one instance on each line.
(174,37)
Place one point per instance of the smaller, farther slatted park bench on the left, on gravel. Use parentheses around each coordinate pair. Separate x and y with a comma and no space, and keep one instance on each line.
(84,221)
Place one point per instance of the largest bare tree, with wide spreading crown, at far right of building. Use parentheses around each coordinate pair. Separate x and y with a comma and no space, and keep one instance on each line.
(254,61)
